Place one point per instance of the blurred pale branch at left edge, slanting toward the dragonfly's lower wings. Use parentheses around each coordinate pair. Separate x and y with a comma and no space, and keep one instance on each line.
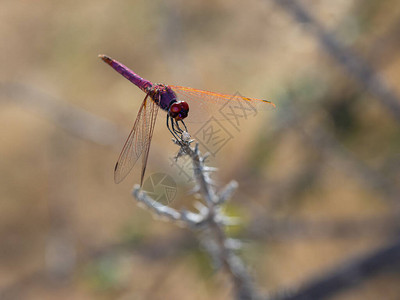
(74,120)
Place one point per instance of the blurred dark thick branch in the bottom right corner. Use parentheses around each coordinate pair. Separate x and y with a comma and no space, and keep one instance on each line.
(348,275)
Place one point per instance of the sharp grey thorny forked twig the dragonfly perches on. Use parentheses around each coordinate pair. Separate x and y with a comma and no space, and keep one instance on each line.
(209,221)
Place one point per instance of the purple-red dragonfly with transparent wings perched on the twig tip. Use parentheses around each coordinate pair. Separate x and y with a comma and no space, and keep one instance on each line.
(175,101)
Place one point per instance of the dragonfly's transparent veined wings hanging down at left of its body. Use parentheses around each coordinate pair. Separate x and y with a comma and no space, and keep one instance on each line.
(138,140)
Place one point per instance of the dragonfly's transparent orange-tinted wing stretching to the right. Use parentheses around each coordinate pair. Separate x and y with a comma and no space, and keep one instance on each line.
(204,104)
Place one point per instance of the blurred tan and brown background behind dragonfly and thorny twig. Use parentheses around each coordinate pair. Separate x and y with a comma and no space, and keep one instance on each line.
(318,177)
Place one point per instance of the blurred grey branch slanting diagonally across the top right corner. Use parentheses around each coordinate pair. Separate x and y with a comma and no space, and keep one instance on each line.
(358,68)
